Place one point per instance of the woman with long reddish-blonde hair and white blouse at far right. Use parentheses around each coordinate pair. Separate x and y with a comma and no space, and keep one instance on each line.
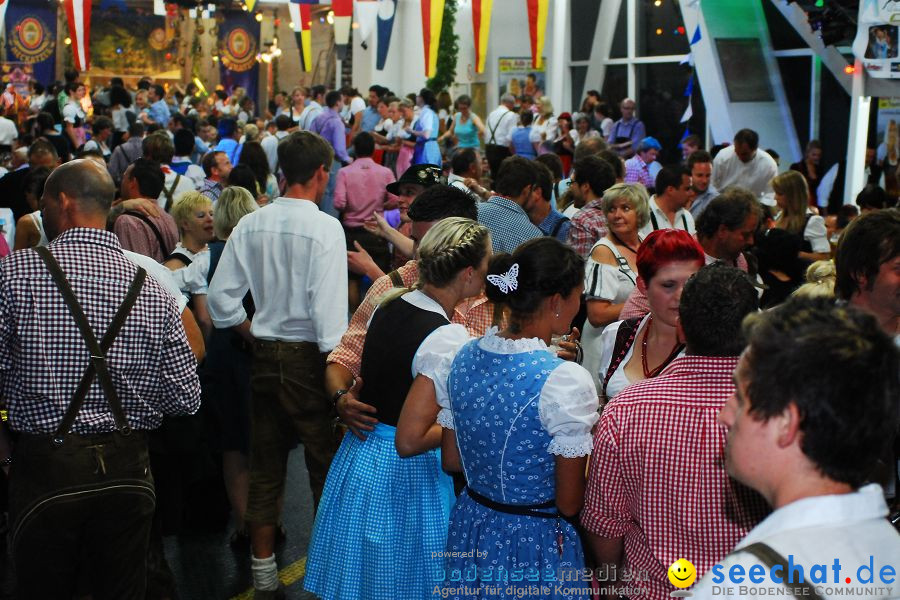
(792,197)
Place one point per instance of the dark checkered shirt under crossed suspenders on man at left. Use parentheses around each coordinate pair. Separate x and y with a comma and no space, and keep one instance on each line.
(43,356)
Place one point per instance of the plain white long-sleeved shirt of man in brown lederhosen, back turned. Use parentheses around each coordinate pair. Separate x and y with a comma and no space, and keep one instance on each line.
(293,259)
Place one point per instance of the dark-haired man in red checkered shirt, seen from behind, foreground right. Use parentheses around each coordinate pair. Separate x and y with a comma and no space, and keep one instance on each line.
(657,487)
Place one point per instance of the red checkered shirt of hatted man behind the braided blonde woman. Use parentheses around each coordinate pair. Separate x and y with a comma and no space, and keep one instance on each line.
(476,319)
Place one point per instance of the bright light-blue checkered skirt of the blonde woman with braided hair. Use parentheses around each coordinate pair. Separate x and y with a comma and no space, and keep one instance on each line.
(382,522)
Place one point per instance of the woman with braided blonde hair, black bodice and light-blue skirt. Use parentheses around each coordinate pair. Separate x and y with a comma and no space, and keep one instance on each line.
(385,510)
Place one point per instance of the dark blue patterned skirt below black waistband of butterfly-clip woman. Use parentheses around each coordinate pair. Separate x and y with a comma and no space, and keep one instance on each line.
(492,554)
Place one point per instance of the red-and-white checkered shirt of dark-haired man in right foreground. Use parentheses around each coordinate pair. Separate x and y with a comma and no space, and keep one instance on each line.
(657,477)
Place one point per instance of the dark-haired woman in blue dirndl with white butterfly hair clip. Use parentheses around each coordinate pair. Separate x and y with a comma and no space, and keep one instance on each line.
(517,422)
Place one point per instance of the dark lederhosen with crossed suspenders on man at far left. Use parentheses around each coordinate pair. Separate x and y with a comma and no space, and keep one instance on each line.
(63,470)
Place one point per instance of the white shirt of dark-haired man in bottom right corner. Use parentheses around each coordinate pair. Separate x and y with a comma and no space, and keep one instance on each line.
(848,528)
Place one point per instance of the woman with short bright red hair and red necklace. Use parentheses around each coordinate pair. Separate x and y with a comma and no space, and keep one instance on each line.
(640,348)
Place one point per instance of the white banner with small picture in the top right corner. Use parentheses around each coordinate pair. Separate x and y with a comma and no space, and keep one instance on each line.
(878,38)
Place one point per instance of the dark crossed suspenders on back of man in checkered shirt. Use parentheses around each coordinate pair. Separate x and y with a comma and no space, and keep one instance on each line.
(98,351)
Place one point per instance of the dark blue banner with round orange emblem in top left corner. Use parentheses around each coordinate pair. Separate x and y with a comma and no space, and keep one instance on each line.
(31,38)
